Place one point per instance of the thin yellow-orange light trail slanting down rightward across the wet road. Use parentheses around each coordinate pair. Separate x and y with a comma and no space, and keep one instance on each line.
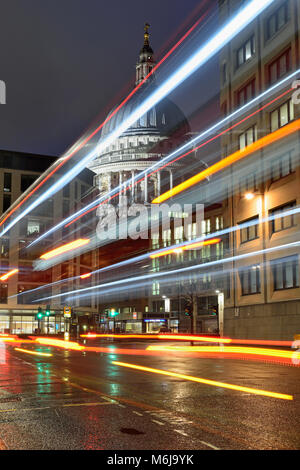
(206,381)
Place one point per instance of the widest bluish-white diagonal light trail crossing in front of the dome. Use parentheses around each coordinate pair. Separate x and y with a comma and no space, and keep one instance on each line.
(198,59)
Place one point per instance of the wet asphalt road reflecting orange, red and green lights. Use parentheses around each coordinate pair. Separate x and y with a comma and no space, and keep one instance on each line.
(81,400)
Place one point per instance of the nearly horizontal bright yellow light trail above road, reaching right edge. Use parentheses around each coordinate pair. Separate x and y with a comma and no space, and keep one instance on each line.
(227,349)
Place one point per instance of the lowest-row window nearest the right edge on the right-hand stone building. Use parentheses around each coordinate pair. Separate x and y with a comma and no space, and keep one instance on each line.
(285,273)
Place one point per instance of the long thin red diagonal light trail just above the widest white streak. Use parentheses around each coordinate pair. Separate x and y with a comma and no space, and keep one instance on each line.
(87,139)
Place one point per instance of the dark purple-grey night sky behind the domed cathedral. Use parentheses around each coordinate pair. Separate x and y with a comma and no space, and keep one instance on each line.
(67,62)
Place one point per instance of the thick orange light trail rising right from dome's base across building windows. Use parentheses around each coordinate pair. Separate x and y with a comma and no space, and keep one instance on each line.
(233,158)
